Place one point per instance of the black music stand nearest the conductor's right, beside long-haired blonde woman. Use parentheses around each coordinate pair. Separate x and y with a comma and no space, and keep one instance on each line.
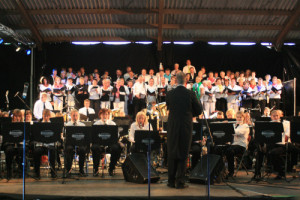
(222,132)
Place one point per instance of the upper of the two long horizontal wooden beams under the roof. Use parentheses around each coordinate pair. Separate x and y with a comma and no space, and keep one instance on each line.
(205,11)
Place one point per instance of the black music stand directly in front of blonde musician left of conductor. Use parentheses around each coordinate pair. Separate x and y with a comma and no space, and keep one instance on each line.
(142,138)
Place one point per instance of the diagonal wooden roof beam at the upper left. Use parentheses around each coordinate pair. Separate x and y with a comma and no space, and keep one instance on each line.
(29,22)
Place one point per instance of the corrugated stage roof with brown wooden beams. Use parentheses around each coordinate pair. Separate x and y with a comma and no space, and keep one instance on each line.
(43,21)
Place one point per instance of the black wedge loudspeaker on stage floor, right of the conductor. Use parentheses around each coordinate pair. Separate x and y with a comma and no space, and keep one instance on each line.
(216,170)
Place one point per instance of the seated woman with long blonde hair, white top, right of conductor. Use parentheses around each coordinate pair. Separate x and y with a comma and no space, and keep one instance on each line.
(240,141)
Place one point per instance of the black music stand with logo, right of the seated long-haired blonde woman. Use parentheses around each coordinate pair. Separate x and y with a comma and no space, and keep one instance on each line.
(268,132)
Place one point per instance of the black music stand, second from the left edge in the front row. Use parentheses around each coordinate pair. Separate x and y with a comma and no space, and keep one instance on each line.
(46,133)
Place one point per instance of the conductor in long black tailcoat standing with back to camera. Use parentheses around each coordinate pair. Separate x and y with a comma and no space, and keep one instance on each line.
(182,105)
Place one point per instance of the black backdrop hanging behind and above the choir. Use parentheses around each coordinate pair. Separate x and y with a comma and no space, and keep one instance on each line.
(16,65)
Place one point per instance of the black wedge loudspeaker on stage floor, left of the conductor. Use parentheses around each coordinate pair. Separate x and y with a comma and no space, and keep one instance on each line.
(135,169)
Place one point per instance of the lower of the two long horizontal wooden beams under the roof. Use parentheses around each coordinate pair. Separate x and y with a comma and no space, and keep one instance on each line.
(164,26)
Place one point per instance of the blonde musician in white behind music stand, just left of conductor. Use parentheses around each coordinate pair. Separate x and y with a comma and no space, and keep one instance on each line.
(141,123)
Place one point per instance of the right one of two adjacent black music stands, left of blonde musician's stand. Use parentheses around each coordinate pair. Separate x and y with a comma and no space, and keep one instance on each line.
(104,135)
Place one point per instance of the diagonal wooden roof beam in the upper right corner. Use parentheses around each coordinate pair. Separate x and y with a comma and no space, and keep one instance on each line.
(288,26)
